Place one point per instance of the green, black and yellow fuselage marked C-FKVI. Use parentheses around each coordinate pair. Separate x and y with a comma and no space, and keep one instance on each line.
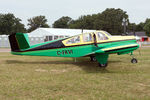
(83,45)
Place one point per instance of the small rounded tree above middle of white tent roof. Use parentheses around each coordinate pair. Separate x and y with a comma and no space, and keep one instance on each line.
(63,22)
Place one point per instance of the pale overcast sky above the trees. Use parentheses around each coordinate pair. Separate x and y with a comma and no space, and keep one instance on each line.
(138,10)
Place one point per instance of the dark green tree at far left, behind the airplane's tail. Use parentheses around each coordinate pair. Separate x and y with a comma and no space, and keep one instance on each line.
(10,24)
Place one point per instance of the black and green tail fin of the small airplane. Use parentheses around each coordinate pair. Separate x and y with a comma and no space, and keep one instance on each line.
(19,41)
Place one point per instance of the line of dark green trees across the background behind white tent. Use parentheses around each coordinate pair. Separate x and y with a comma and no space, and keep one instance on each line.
(109,20)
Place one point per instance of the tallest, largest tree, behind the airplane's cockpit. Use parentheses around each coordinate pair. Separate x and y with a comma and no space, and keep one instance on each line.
(111,20)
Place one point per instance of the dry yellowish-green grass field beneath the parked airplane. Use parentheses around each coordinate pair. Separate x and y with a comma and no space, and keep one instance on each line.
(49,78)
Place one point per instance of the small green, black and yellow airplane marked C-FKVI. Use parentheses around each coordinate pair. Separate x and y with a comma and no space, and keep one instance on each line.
(96,45)
